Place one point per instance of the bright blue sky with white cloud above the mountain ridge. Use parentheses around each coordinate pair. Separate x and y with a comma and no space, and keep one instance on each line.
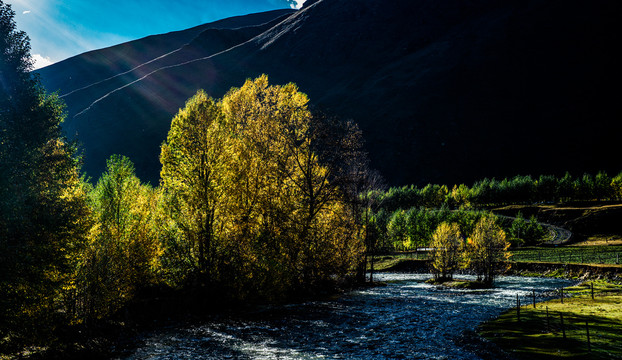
(59,29)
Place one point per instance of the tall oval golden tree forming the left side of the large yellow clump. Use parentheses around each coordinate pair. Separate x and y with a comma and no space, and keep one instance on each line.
(194,161)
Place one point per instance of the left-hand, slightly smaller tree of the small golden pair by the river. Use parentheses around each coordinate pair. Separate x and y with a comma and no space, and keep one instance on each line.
(446,245)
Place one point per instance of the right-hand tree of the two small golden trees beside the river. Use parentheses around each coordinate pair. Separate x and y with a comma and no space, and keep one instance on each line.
(486,250)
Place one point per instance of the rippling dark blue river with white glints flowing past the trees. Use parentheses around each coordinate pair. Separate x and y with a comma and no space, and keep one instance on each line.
(407,319)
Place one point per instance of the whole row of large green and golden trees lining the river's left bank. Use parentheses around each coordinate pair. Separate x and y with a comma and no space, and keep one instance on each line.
(257,202)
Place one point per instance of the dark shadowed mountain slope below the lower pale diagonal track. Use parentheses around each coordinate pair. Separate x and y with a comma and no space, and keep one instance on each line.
(444,91)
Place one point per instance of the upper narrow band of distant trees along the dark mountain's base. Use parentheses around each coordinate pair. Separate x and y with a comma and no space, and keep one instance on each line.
(516,190)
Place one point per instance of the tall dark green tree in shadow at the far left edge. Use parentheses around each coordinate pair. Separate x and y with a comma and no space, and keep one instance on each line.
(43,208)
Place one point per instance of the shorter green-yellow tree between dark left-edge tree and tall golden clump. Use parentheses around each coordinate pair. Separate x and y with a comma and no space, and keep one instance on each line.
(123,251)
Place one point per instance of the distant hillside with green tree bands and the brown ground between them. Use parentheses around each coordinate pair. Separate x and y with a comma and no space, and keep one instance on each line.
(404,218)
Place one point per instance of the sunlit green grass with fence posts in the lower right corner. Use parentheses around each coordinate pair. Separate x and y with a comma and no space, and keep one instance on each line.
(539,333)
